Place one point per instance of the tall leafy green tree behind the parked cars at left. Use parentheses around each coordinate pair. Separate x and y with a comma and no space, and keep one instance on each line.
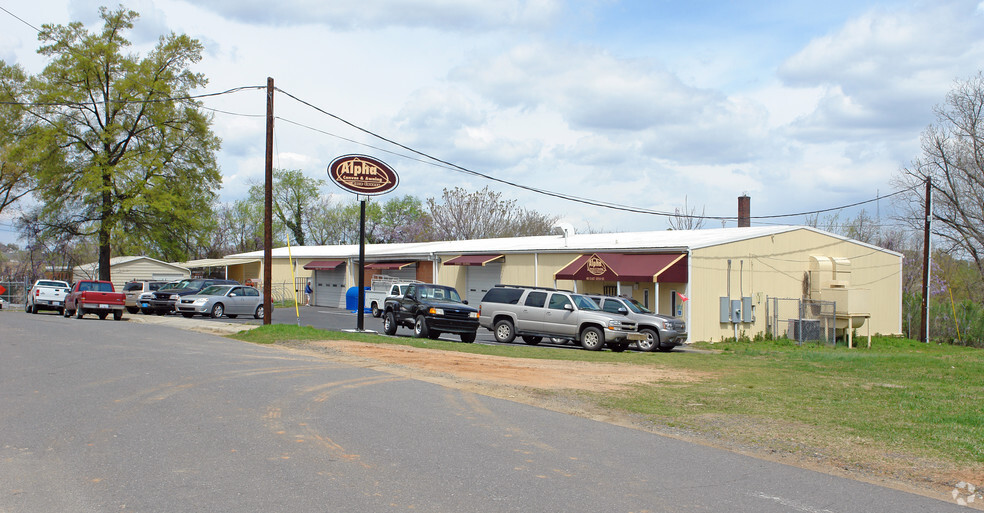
(137,155)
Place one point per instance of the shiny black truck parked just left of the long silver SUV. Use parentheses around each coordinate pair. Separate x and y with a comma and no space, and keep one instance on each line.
(431,310)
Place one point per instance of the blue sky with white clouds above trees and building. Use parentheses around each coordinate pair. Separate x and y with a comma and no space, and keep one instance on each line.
(652,105)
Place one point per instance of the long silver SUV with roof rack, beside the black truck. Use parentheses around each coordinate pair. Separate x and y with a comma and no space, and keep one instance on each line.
(537,312)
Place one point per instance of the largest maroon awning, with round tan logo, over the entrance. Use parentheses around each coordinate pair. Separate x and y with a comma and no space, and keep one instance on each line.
(662,268)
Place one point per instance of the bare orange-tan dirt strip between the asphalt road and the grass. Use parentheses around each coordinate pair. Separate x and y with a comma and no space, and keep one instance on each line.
(564,386)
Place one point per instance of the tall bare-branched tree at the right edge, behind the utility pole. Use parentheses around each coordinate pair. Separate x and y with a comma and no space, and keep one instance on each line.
(953,157)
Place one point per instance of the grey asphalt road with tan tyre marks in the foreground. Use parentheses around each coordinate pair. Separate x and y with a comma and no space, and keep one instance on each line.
(103,416)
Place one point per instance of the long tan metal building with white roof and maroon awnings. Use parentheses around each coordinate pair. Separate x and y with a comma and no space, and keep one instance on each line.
(723,282)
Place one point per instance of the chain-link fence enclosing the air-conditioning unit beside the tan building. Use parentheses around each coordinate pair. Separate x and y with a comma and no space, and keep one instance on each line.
(801,320)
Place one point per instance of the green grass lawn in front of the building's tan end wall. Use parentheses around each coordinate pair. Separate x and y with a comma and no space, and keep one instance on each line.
(900,397)
